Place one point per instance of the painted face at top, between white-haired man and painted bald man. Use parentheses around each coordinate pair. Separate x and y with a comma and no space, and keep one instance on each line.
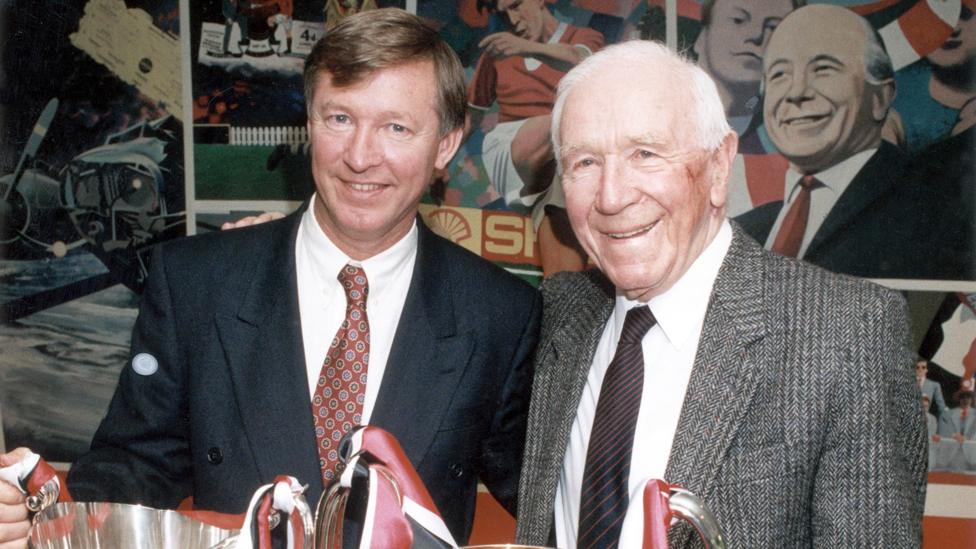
(731,47)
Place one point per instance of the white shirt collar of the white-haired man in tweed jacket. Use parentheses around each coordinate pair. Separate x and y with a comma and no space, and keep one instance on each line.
(680,310)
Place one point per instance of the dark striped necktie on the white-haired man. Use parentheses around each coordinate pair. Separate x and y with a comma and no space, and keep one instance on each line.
(604,498)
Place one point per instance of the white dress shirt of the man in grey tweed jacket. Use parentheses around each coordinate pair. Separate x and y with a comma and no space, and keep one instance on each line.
(669,354)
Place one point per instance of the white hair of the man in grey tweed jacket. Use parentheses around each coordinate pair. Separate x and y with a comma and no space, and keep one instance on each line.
(708,116)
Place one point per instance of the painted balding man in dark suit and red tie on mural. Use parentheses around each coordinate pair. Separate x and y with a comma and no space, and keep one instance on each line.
(848,203)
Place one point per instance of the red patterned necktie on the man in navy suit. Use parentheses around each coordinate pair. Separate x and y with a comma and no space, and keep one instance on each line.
(341,390)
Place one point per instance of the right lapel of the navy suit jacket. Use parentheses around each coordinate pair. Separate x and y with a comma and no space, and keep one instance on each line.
(428,356)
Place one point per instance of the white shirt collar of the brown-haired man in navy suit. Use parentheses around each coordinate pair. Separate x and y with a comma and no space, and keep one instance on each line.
(327,259)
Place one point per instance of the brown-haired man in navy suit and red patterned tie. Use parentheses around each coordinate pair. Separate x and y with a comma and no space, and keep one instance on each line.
(236,373)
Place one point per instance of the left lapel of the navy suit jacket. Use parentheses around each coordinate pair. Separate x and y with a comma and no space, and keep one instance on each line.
(262,342)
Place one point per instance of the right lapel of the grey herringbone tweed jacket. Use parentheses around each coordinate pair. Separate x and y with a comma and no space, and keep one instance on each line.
(723,378)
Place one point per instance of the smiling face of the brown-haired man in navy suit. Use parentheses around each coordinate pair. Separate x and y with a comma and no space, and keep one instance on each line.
(375,145)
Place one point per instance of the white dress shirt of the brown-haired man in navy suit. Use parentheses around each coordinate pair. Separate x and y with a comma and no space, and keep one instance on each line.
(322,300)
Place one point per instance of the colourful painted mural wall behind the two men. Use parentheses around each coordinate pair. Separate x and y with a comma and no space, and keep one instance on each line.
(93,139)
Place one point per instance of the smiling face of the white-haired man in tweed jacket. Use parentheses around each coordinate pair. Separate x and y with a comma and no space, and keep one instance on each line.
(642,198)
